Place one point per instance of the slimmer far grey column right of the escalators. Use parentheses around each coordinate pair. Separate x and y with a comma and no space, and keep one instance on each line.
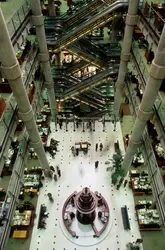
(131,21)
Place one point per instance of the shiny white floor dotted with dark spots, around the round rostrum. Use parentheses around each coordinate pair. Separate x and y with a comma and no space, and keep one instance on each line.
(78,172)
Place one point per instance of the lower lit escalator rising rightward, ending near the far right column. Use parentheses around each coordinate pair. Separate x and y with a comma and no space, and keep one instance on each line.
(90,82)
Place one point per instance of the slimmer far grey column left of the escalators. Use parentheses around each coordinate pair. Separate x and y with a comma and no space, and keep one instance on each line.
(38,21)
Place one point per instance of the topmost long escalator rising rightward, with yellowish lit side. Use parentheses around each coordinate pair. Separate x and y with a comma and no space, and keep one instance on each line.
(87,26)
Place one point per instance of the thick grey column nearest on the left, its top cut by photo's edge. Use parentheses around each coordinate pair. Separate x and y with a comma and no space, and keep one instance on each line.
(11,71)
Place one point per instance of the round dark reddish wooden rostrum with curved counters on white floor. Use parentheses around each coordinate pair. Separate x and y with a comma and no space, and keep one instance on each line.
(88,207)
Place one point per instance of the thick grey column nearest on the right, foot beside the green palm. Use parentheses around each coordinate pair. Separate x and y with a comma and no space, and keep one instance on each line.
(157,74)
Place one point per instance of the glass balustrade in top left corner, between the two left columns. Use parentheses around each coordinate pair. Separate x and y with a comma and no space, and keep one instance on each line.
(17,18)
